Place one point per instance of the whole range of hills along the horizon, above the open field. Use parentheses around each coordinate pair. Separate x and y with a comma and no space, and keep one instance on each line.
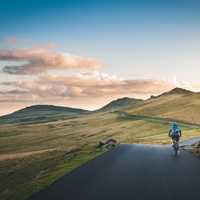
(177,103)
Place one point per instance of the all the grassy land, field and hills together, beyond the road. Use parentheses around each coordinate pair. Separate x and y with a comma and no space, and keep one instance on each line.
(37,151)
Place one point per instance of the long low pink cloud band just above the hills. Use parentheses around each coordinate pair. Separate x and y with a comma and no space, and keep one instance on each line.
(85,85)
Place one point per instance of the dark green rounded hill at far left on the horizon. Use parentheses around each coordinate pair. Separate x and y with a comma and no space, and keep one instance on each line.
(41,113)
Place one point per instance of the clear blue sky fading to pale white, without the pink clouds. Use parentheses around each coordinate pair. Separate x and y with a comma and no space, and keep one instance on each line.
(144,39)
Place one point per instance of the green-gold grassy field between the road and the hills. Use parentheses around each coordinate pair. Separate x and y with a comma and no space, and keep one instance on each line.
(32,156)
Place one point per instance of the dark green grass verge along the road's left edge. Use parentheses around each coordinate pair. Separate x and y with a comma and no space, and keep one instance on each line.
(37,172)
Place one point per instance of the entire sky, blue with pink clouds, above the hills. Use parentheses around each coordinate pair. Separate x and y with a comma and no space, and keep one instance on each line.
(86,53)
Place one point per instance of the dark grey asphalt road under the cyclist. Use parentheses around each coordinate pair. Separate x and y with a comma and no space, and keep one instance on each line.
(130,172)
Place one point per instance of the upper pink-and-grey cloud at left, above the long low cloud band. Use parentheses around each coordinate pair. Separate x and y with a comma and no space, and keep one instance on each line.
(38,60)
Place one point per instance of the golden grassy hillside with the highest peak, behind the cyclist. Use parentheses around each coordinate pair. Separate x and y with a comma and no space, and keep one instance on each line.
(177,104)
